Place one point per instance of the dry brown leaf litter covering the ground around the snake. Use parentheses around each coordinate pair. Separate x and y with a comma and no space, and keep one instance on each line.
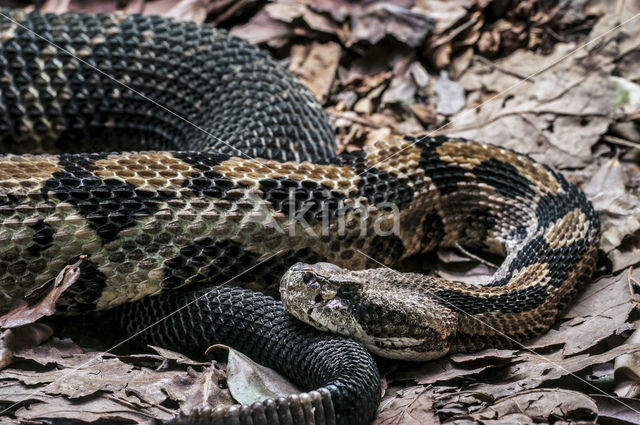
(383,70)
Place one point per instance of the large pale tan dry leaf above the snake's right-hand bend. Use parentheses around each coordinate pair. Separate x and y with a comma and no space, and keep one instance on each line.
(557,116)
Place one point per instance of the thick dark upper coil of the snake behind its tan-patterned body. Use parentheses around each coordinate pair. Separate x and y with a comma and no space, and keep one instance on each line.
(54,99)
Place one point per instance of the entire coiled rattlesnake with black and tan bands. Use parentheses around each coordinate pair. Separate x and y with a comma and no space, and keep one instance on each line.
(172,198)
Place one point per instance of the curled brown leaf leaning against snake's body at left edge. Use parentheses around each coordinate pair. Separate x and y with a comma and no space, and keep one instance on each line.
(42,300)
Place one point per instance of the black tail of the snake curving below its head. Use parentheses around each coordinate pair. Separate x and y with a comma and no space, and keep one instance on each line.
(339,373)
